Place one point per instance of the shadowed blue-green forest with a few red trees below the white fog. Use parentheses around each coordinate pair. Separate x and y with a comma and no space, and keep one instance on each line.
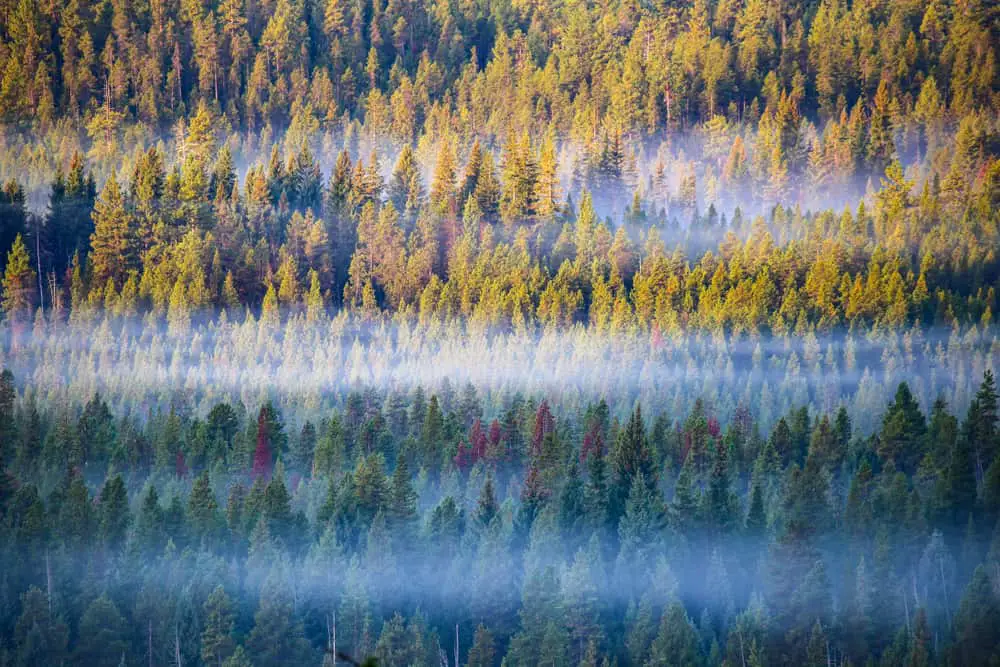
(397,529)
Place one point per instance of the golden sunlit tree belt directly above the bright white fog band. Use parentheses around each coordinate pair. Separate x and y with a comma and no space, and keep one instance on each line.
(496,245)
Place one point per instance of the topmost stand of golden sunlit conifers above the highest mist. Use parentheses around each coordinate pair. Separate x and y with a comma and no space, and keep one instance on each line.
(638,67)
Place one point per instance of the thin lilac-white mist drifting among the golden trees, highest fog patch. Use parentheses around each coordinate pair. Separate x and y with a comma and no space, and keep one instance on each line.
(655,167)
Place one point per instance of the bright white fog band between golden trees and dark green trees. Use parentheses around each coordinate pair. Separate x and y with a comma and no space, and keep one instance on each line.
(309,368)
